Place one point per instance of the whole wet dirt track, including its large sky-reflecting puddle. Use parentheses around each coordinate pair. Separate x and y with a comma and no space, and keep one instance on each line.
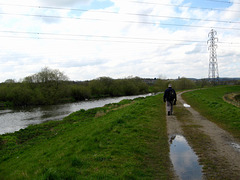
(218,153)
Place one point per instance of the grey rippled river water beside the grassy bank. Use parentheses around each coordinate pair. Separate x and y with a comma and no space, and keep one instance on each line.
(14,120)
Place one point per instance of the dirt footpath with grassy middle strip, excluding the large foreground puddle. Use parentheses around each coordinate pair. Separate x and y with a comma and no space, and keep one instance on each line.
(217,150)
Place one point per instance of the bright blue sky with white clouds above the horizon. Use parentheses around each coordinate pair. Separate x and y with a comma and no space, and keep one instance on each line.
(88,39)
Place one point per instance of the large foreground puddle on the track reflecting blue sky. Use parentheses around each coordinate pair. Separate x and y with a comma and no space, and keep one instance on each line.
(184,160)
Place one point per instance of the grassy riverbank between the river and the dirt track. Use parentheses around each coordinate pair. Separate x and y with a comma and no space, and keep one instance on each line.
(127,140)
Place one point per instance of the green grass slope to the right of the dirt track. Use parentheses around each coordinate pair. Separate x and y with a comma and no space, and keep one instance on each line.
(210,103)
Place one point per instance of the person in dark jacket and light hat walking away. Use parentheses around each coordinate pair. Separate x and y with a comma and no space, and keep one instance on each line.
(171,99)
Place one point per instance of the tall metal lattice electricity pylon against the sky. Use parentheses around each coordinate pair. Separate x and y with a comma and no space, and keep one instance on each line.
(212,46)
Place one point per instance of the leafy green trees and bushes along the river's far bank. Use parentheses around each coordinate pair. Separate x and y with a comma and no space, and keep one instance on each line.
(52,87)
